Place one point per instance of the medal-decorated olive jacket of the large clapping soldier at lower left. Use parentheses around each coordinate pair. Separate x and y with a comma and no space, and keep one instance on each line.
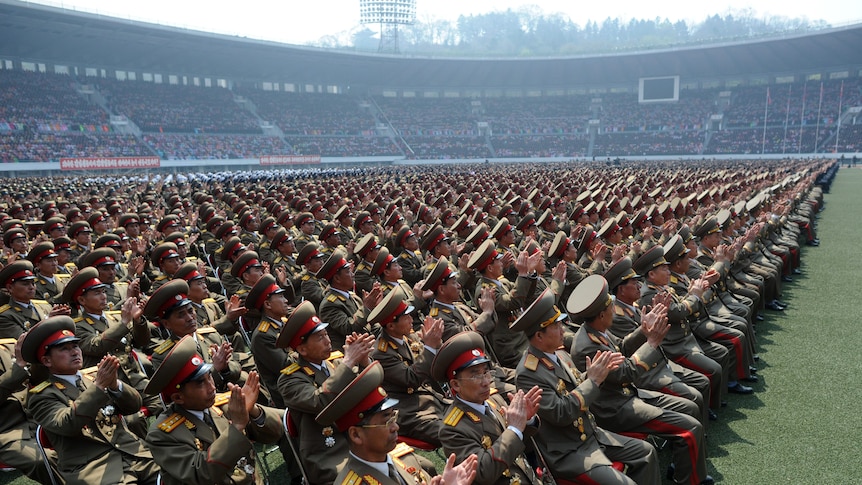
(86,429)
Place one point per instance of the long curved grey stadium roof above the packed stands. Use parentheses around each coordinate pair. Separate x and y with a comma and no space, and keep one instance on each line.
(39,33)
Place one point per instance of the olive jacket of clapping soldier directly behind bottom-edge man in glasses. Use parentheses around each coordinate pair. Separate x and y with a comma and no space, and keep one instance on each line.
(305,391)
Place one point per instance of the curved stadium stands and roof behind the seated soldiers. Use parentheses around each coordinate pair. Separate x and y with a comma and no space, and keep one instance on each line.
(127,89)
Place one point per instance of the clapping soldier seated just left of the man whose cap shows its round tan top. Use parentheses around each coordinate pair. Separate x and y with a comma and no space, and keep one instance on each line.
(573,446)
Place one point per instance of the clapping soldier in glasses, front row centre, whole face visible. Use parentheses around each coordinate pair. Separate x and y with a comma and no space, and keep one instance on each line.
(476,425)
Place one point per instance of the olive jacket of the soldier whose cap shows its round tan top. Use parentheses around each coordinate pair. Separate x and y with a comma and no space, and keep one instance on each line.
(618,400)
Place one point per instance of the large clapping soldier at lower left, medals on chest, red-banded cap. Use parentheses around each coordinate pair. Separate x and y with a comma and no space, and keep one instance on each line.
(83,418)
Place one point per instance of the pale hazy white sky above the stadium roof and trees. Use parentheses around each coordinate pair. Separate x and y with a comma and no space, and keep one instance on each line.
(300,22)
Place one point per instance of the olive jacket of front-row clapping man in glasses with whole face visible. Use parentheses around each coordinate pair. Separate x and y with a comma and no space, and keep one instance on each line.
(500,451)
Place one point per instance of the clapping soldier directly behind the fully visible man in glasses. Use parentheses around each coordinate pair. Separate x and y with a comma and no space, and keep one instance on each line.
(406,362)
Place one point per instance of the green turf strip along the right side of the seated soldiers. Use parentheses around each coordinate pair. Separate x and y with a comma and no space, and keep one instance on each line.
(800,427)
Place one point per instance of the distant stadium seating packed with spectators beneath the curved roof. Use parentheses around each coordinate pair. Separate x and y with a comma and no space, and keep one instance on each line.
(45,117)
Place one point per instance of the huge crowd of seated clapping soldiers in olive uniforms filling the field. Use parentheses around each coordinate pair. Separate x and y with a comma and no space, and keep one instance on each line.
(559,319)
